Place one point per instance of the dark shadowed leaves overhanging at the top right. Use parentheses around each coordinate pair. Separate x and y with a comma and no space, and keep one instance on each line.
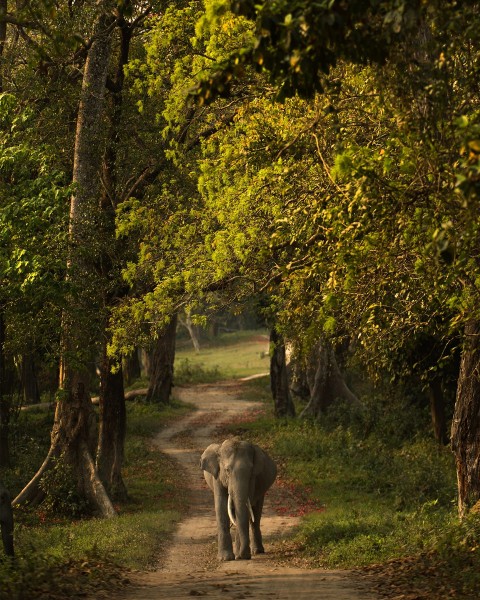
(298,43)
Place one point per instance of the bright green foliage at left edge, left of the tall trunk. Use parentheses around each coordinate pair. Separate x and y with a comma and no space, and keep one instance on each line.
(33,231)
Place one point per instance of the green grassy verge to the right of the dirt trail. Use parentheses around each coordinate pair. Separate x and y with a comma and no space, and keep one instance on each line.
(378,495)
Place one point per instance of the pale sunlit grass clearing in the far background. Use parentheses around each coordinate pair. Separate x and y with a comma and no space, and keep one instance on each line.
(231,355)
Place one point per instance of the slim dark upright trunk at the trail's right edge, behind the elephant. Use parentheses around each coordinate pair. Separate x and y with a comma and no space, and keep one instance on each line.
(282,399)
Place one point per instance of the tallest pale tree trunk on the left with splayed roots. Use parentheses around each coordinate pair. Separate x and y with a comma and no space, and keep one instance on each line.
(71,436)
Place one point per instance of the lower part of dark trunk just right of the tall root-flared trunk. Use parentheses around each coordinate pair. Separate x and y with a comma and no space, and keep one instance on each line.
(112,429)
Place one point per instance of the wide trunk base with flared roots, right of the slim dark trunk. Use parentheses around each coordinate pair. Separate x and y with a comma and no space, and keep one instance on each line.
(327,383)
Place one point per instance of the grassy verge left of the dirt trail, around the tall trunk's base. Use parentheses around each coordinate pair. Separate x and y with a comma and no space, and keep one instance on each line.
(59,557)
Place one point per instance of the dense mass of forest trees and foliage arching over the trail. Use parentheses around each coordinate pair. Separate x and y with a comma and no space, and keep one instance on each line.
(310,167)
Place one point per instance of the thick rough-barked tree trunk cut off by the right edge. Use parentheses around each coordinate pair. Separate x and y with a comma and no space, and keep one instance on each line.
(466,422)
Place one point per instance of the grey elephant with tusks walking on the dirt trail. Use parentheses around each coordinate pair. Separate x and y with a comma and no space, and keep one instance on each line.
(239,474)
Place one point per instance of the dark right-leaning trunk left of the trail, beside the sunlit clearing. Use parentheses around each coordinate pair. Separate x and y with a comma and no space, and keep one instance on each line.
(161,369)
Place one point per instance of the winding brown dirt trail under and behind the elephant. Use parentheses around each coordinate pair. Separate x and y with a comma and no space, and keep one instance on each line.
(189,567)
